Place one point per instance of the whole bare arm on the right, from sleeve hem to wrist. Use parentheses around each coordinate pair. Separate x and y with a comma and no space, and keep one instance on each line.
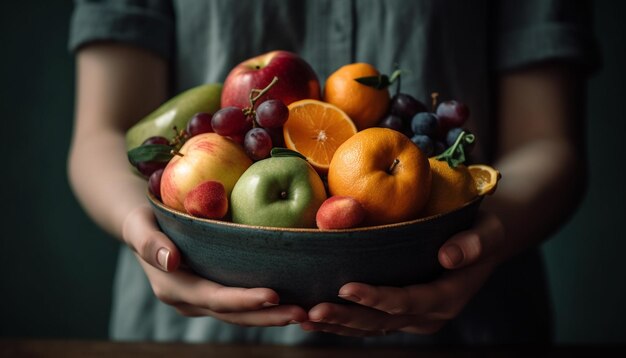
(541,153)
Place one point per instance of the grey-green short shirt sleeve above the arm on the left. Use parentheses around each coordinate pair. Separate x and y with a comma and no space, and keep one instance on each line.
(144,23)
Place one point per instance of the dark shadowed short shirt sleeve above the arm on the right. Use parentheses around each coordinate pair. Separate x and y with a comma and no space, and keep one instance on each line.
(532,31)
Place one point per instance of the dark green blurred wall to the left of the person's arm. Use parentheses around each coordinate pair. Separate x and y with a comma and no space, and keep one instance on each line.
(55,264)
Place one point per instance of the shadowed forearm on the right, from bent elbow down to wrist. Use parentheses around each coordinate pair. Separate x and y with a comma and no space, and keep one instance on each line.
(541,187)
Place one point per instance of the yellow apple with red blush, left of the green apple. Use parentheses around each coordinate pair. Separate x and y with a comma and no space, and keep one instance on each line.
(206,156)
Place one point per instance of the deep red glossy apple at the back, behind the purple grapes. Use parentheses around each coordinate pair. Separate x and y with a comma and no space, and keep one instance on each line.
(296,79)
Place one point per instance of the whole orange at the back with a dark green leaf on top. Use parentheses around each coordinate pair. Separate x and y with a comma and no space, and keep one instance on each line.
(365,105)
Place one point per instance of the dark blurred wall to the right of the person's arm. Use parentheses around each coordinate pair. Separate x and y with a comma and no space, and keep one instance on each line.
(585,262)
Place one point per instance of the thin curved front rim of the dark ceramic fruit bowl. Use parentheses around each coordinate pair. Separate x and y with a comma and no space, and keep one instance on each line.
(161,206)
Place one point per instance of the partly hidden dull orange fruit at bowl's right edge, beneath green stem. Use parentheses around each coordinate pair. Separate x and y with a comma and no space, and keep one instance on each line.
(451,188)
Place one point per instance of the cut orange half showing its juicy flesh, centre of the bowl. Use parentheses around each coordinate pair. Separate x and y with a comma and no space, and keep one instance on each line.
(316,129)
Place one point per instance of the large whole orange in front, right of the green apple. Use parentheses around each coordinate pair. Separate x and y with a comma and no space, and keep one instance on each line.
(385,172)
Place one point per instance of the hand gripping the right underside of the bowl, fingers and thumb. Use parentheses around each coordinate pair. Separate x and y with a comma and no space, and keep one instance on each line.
(469,256)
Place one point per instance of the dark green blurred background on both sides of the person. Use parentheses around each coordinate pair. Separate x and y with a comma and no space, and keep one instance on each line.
(56,265)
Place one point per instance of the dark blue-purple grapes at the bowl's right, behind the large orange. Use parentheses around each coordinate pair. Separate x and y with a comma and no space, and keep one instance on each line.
(432,131)
